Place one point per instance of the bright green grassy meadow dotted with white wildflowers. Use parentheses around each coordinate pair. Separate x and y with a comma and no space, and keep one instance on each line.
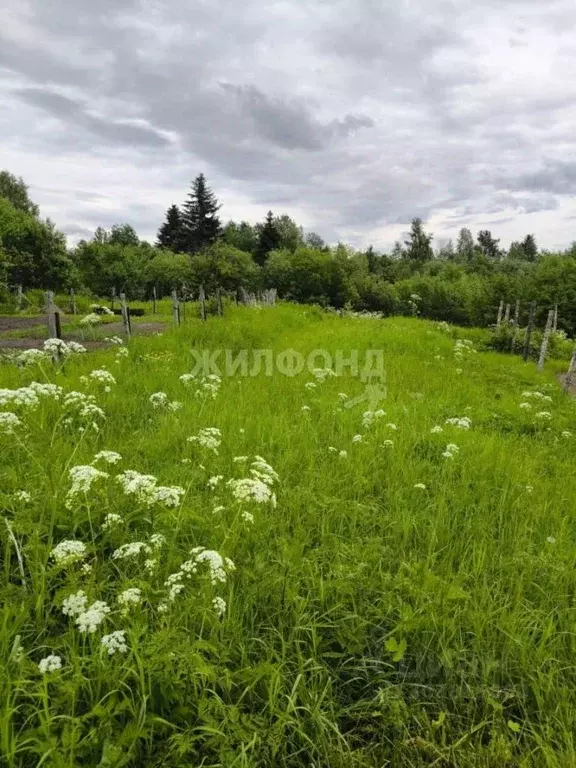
(394,603)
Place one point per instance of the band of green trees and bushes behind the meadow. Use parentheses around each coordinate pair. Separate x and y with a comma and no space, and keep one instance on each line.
(461,282)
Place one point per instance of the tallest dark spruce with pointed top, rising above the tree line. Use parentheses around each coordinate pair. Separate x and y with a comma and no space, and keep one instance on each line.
(200,224)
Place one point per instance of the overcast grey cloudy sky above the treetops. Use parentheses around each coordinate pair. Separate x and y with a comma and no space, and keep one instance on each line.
(350,116)
